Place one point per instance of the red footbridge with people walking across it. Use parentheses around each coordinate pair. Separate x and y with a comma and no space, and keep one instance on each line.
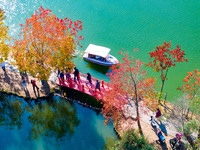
(82,87)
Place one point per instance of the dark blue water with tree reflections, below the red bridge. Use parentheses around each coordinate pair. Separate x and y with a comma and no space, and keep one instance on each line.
(55,124)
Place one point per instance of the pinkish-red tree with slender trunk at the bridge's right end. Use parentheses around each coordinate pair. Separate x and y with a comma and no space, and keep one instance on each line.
(128,88)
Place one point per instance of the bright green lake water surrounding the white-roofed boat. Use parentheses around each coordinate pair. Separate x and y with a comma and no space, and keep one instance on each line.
(143,24)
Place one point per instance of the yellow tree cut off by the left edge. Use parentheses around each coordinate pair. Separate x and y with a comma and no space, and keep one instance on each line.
(4,49)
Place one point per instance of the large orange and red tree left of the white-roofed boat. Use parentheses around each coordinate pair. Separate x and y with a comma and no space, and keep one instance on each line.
(46,43)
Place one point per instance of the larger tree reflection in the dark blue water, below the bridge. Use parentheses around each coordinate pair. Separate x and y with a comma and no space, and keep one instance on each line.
(53,118)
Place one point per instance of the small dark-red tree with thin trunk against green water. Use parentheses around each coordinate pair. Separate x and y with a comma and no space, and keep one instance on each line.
(164,57)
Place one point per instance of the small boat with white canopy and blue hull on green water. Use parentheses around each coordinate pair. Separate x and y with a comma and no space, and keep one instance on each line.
(99,55)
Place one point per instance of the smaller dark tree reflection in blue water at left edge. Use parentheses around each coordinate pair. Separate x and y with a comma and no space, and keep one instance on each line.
(11,111)
